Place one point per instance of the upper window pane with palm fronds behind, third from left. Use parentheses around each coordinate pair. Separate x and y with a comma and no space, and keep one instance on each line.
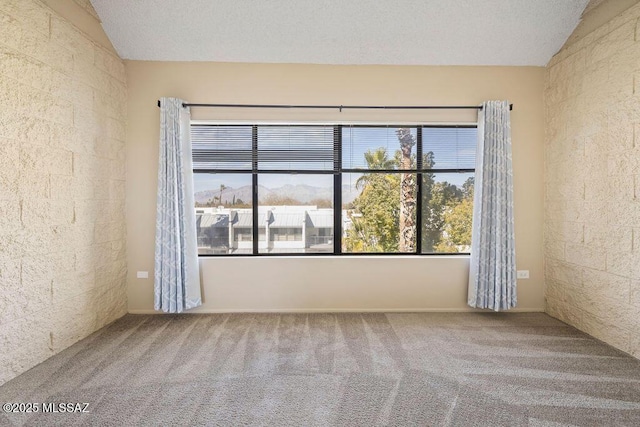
(374,147)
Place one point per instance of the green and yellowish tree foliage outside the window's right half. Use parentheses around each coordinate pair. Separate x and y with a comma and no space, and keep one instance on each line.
(376,214)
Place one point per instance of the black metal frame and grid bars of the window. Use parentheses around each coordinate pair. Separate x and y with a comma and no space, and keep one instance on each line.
(337,173)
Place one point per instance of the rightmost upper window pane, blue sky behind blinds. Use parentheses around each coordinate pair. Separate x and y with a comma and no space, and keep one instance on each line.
(451,147)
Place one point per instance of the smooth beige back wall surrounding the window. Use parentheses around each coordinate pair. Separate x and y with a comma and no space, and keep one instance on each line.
(336,283)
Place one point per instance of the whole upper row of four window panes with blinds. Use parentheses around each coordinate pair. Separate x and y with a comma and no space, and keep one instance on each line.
(315,148)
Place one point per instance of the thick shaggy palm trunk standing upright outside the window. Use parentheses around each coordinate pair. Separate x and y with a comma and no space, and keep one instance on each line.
(407,193)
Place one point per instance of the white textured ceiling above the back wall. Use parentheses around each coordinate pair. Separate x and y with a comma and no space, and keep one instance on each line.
(409,32)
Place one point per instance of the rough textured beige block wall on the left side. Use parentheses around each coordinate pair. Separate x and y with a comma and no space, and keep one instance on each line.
(62,184)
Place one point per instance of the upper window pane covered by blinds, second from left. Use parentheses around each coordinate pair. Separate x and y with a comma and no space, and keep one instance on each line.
(296,148)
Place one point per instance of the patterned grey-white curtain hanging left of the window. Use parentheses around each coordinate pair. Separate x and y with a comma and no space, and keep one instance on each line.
(177,276)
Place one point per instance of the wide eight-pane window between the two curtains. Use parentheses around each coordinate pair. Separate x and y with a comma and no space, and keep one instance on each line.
(310,189)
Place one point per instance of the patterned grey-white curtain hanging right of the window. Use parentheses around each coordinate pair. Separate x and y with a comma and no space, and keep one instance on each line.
(492,270)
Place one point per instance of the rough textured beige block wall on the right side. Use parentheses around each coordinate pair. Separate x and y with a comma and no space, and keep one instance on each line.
(592,167)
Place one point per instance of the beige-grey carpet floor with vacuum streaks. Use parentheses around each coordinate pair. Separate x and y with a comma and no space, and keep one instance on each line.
(364,369)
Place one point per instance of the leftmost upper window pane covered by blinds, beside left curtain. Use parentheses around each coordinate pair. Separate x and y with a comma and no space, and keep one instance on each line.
(221,147)
